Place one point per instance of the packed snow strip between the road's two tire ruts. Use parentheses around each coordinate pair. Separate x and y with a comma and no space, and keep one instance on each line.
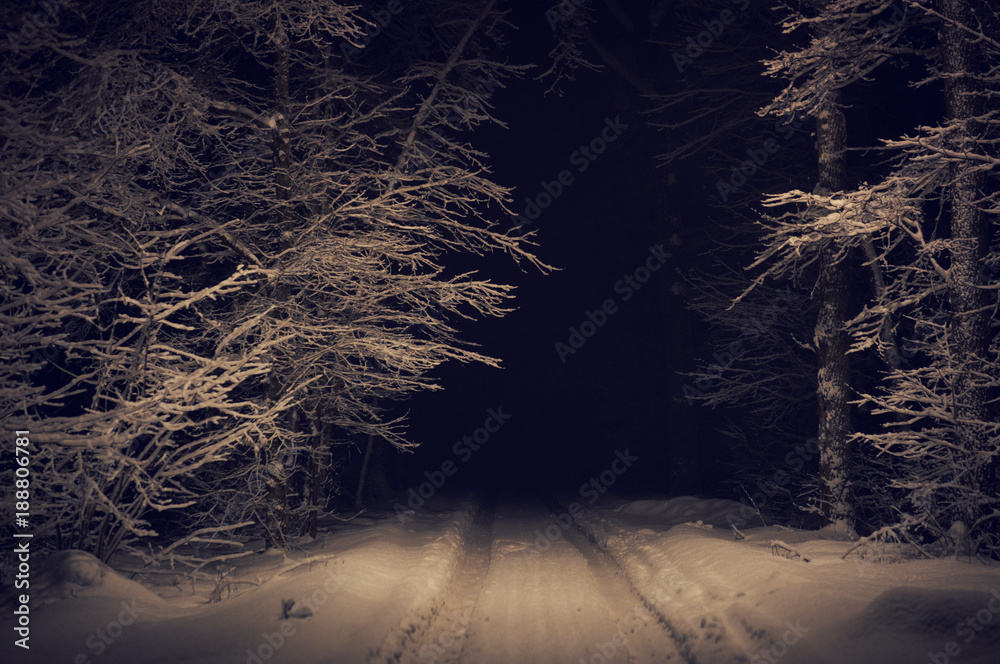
(560,604)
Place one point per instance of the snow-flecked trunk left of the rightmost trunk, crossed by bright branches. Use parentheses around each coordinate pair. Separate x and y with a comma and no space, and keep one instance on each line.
(832,343)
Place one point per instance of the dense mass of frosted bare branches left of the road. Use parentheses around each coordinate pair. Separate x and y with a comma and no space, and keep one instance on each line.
(257,238)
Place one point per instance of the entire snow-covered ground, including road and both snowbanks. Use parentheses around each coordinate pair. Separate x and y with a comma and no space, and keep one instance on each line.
(645,581)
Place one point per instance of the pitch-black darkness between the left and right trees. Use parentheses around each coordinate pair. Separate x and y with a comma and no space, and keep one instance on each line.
(624,389)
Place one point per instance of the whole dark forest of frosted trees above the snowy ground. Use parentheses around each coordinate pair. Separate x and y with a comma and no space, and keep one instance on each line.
(245,245)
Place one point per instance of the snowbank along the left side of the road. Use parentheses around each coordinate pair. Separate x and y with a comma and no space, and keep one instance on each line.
(329,601)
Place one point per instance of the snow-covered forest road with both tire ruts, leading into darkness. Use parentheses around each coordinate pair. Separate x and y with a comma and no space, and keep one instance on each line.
(518,596)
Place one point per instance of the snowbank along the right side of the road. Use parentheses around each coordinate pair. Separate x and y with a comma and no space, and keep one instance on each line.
(764,603)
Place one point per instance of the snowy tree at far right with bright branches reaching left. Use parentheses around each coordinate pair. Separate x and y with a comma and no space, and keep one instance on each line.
(923,233)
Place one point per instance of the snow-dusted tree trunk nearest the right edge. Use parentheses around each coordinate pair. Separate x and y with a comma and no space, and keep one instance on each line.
(969,328)
